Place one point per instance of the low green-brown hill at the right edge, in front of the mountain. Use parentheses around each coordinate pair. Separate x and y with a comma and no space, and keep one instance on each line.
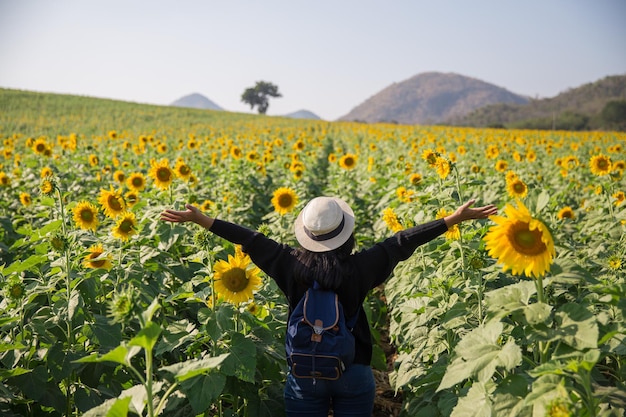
(577,108)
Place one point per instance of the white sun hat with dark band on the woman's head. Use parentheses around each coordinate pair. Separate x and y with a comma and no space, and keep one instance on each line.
(324,224)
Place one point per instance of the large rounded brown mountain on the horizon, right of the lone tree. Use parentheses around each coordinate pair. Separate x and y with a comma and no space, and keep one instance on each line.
(430,98)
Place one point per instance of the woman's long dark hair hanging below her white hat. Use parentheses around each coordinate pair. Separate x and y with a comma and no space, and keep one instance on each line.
(329,269)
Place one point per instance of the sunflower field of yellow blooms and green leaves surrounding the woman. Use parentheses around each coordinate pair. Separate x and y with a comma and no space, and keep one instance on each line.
(108,311)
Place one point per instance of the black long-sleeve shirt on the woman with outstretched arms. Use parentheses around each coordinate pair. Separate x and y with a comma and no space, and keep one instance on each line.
(372,267)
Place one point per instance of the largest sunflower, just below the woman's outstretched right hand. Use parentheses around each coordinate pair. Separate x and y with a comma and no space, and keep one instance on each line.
(520,242)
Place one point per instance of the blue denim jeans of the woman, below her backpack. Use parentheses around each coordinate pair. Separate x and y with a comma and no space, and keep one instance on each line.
(351,395)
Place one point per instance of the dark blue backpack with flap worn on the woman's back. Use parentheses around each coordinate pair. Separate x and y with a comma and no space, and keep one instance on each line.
(319,341)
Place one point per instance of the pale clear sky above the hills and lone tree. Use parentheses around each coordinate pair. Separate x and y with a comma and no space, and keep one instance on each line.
(325,56)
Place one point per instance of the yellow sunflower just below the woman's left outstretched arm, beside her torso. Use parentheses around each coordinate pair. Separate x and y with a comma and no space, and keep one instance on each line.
(236,279)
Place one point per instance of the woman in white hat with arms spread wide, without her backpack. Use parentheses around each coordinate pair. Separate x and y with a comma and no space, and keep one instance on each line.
(324,229)
